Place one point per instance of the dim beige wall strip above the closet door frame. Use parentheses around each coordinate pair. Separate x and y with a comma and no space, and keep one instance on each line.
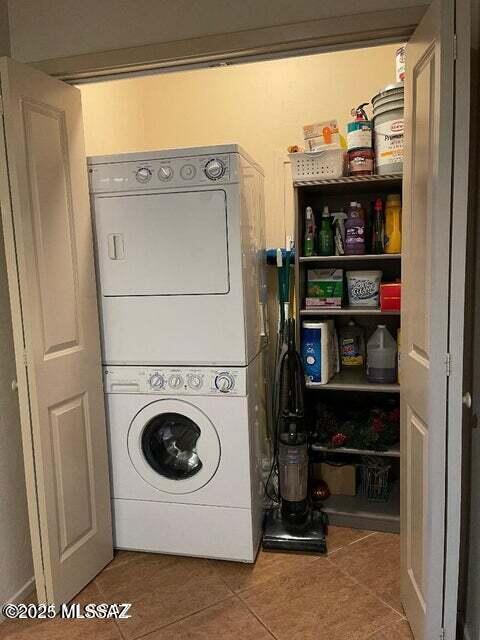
(45,29)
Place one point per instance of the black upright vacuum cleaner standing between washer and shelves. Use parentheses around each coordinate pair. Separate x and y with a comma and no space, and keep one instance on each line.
(290,525)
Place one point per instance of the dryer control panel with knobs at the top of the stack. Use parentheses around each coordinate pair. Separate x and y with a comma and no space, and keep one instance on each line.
(164,173)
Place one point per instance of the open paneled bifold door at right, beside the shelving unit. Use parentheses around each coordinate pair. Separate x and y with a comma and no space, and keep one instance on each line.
(431,363)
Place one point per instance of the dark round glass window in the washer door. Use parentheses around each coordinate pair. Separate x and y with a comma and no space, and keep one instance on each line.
(169,444)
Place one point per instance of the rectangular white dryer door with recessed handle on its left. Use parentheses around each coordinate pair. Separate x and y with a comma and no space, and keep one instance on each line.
(162,244)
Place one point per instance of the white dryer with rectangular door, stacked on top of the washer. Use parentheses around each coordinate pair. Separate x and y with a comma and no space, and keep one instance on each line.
(180,256)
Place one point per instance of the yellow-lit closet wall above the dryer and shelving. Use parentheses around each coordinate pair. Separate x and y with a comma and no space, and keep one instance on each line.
(262,106)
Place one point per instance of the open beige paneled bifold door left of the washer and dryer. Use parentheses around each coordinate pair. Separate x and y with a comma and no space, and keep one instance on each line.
(48,239)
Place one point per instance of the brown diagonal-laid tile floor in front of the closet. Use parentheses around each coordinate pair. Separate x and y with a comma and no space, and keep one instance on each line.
(352,594)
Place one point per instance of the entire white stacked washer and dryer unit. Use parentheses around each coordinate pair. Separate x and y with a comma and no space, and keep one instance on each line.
(180,270)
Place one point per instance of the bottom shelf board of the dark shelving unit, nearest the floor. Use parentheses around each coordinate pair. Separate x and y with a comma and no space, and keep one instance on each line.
(359,513)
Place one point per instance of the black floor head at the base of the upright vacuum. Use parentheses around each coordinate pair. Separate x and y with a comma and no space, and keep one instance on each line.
(281,535)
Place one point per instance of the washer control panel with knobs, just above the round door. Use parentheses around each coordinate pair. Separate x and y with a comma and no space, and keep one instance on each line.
(175,380)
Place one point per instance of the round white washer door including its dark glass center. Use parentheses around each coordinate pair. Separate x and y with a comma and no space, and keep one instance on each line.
(174,446)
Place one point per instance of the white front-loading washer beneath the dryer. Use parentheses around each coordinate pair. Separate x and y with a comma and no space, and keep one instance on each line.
(186,447)
